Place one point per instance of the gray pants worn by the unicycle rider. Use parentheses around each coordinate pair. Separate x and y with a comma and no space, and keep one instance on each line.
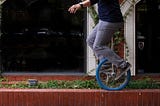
(100,36)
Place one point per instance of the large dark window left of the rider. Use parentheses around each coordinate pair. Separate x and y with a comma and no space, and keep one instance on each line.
(42,36)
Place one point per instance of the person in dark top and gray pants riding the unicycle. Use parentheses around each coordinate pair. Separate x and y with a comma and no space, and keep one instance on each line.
(110,21)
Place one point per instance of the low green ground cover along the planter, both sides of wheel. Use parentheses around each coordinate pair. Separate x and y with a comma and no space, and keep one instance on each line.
(145,83)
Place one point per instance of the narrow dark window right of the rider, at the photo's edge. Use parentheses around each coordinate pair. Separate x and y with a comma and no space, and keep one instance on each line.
(148,36)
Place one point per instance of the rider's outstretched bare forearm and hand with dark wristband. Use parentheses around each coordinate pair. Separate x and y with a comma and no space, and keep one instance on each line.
(78,6)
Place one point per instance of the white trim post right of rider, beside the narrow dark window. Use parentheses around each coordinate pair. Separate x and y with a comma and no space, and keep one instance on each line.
(128,10)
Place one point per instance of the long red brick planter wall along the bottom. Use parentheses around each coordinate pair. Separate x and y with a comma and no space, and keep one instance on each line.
(79,97)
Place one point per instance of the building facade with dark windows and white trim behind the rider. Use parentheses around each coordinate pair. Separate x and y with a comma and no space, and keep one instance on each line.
(140,31)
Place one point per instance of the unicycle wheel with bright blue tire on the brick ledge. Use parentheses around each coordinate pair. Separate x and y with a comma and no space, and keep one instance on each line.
(106,77)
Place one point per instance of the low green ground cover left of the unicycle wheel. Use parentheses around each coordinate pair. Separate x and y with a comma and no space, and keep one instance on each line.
(55,84)
